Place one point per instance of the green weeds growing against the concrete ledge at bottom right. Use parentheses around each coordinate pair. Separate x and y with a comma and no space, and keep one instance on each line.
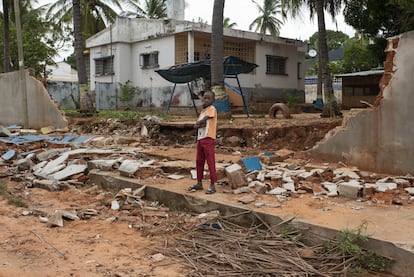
(349,245)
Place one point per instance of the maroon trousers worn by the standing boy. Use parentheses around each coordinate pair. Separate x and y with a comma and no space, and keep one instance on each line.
(205,152)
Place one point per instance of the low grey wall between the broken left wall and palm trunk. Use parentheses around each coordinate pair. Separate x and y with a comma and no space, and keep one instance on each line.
(65,93)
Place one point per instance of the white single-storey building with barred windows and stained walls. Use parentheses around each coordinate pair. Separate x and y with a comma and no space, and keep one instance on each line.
(132,49)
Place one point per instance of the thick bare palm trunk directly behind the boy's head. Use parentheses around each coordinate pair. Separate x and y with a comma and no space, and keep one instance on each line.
(217,52)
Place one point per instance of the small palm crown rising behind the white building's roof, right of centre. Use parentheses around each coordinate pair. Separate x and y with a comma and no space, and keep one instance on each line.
(267,20)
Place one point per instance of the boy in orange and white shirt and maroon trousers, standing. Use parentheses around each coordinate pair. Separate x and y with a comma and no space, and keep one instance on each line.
(206,126)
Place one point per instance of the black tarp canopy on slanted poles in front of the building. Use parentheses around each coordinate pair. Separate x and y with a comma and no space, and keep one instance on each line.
(187,72)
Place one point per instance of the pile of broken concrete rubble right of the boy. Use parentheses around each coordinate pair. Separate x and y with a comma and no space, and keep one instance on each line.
(283,176)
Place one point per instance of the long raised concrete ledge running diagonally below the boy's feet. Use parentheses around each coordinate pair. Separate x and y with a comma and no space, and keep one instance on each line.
(313,234)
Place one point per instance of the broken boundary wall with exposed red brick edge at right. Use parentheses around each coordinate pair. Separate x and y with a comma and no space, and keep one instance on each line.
(380,138)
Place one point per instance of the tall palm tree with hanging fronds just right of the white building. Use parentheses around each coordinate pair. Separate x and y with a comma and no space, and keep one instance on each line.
(318,7)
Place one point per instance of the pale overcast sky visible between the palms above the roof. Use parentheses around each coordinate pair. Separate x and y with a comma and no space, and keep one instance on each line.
(243,12)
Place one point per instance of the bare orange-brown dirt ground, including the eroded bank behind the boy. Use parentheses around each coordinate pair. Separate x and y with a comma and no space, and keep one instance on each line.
(125,242)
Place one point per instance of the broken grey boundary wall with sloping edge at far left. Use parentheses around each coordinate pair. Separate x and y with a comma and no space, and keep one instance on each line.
(42,110)
